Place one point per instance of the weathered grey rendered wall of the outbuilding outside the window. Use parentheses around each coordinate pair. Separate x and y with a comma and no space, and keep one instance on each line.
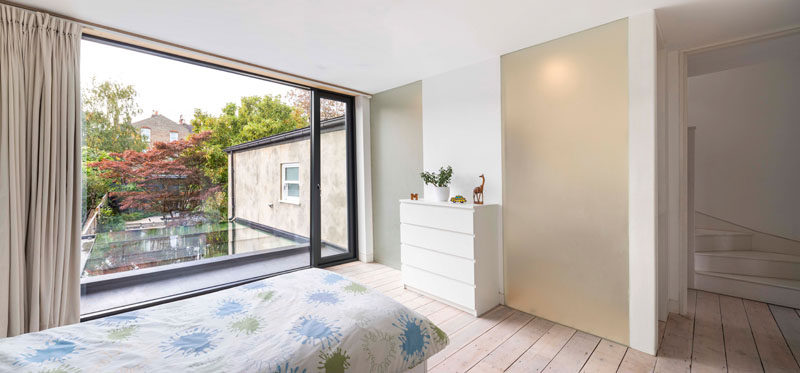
(256,186)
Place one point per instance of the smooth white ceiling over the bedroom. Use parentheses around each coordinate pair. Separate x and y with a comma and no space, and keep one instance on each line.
(374,45)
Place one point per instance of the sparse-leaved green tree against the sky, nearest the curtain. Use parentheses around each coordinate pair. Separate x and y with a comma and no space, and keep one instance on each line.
(108,109)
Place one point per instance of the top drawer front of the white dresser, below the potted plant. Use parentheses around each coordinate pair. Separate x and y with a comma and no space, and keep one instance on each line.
(449,218)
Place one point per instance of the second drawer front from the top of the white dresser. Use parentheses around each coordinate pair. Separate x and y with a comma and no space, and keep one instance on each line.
(458,244)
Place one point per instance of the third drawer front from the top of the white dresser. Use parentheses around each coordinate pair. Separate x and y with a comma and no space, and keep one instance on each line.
(442,264)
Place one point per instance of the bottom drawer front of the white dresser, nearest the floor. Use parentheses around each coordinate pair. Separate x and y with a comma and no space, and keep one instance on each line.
(442,287)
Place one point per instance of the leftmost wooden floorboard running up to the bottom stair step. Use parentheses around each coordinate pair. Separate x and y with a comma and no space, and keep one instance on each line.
(708,347)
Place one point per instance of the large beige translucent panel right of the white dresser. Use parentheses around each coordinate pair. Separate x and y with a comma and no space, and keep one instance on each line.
(565,211)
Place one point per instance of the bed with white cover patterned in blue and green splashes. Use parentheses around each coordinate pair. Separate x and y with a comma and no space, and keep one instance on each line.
(306,321)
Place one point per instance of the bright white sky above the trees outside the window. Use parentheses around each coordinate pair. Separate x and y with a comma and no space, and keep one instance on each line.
(172,88)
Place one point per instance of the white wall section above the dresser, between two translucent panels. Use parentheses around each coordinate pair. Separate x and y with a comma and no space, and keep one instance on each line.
(461,127)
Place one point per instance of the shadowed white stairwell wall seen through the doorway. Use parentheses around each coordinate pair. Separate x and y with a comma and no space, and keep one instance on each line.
(747,155)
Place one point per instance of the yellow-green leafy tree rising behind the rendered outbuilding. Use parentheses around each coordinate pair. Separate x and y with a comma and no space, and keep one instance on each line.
(254,118)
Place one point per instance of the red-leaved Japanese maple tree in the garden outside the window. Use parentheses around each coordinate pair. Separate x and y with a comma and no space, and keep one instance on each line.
(167,177)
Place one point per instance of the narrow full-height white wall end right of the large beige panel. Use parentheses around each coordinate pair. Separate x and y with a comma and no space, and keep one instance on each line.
(642,187)
